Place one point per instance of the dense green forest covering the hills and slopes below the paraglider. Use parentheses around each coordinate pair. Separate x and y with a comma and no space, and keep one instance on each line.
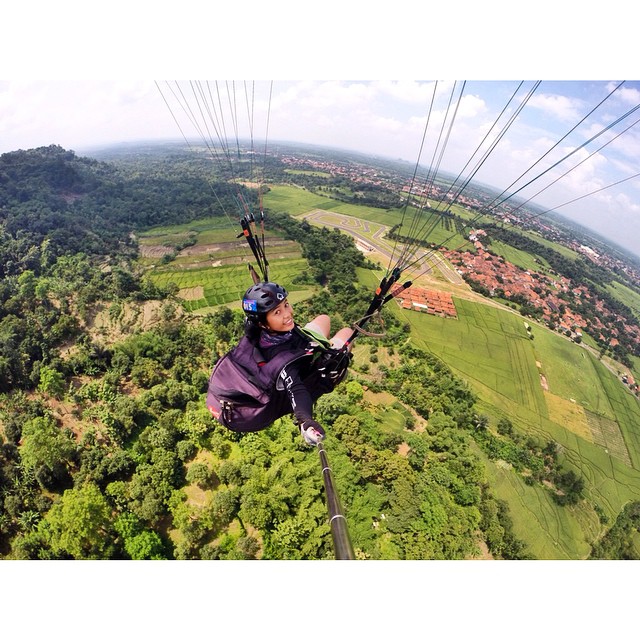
(107,450)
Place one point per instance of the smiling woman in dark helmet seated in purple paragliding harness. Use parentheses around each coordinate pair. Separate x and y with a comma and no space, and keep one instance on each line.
(278,367)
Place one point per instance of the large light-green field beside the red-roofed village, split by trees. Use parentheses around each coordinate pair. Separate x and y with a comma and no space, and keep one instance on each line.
(587,411)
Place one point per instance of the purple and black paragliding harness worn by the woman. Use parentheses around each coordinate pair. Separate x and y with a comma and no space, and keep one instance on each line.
(247,393)
